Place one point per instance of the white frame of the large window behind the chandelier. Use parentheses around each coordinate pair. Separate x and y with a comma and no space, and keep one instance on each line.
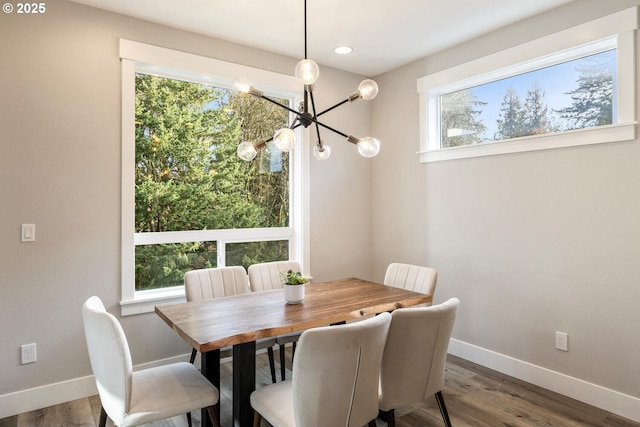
(140,57)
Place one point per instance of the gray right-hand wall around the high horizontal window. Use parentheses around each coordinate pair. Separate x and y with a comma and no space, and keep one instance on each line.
(531,243)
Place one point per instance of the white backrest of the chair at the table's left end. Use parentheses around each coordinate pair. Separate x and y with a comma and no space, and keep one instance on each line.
(110,358)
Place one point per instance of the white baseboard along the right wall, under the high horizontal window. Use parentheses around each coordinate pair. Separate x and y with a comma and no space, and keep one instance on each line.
(592,394)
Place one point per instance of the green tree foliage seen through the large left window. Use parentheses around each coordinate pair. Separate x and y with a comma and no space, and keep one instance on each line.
(188,176)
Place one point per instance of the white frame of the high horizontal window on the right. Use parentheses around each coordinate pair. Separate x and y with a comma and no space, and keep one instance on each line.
(616,30)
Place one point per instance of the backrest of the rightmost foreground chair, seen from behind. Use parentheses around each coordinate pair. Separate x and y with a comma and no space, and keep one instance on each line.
(415,353)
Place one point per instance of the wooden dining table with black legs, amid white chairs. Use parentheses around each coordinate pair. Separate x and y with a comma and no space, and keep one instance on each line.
(240,320)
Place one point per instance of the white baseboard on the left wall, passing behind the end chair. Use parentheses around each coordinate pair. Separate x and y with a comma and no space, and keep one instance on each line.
(65,391)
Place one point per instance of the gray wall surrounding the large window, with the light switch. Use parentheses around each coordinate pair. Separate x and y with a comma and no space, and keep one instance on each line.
(60,169)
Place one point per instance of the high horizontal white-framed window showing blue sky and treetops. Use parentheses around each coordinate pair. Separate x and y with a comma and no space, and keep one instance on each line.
(563,93)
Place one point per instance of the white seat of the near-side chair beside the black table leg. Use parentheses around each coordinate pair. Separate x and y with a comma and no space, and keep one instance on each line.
(275,403)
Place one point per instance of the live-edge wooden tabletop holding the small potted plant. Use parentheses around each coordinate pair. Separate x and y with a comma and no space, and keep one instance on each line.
(220,322)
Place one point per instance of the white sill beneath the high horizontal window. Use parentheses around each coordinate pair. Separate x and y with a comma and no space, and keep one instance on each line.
(599,135)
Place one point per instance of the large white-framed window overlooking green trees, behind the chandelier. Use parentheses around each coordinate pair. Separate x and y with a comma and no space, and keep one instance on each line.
(188,201)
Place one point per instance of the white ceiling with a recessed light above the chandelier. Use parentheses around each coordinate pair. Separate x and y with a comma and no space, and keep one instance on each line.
(384,34)
